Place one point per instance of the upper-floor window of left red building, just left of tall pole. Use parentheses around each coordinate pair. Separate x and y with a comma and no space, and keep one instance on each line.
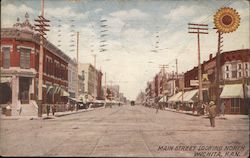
(25,58)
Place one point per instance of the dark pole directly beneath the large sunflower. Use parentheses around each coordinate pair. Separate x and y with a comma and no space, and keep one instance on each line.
(217,76)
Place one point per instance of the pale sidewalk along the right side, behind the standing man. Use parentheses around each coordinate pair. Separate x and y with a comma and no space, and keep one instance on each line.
(225,117)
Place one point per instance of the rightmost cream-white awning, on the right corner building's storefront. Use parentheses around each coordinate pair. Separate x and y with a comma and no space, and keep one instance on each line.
(232,91)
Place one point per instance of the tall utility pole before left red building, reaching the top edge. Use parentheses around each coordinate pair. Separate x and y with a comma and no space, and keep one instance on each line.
(41,24)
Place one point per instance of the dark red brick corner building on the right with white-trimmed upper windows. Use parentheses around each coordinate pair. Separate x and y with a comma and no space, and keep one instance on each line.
(234,79)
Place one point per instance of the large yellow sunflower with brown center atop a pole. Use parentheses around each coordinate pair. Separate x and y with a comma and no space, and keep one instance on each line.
(226,20)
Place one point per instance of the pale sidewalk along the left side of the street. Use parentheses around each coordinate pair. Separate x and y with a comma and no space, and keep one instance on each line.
(44,116)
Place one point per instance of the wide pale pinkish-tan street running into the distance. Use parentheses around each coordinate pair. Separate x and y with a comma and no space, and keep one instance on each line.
(124,131)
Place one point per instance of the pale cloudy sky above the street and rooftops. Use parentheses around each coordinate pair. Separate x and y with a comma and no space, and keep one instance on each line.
(134,29)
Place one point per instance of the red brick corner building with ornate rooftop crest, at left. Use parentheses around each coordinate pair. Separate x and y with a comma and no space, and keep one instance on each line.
(19,67)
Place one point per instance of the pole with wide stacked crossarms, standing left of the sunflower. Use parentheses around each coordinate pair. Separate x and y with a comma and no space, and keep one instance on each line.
(198,29)
